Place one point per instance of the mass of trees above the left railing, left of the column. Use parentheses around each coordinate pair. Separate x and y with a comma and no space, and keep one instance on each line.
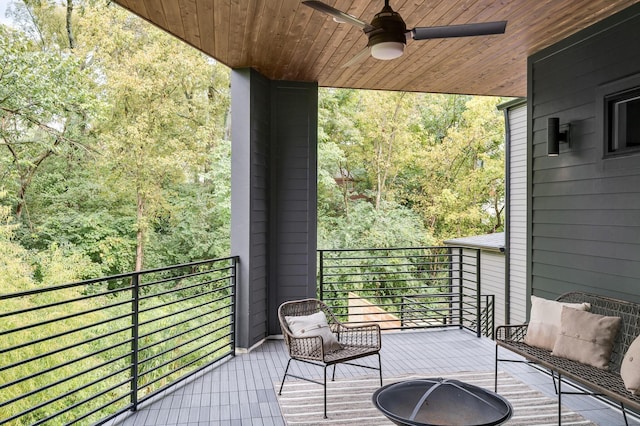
(122,158)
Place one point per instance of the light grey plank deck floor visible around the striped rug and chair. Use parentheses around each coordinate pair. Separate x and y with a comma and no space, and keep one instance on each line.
(240,391)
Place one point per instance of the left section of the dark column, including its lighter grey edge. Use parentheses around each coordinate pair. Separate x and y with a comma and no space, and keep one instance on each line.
(250,171)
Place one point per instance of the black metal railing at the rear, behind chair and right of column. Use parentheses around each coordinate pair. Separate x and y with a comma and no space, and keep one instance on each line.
(400,288)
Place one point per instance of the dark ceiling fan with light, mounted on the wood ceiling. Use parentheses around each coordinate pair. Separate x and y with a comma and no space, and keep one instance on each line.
(388,33)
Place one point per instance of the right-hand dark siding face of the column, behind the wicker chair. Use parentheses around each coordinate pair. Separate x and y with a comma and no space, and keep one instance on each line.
(293,274)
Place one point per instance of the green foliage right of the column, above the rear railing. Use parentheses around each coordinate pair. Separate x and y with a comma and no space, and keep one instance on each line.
(431,165)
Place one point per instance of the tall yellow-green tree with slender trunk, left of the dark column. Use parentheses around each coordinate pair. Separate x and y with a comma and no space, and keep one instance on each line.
(167,105)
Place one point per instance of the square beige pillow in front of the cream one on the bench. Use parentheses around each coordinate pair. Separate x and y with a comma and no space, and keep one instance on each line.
(586,337)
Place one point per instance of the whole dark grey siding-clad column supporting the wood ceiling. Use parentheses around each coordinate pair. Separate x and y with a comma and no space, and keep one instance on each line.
(273,198)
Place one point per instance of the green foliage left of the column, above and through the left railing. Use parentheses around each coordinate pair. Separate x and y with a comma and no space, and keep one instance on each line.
(111,150)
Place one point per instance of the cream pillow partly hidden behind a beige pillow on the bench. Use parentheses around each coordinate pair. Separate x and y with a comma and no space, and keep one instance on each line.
(544,321)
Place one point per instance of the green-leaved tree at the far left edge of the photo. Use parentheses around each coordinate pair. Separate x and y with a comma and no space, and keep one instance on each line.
(45,102)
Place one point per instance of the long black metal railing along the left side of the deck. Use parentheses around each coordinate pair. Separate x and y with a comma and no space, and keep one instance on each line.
(84,352)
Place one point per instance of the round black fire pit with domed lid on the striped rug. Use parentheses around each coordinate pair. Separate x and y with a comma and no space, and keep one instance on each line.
(441,402)
